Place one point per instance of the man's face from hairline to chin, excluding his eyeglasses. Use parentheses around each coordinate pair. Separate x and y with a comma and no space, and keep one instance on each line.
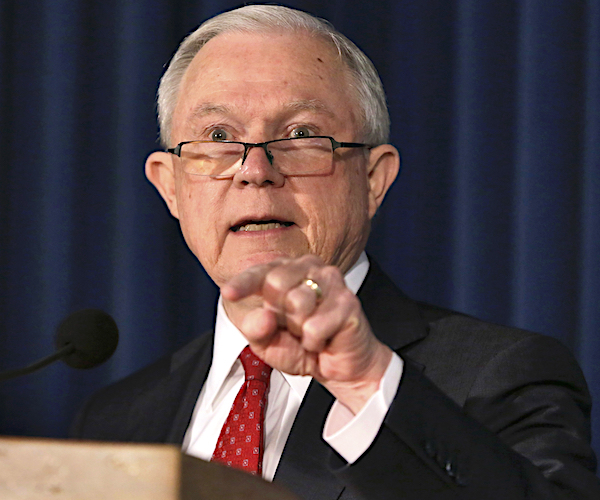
(254,88)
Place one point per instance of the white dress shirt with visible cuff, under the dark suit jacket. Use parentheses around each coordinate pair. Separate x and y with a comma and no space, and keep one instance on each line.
(350,435)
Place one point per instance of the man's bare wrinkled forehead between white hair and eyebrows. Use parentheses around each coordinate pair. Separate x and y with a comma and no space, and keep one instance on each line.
(258,73)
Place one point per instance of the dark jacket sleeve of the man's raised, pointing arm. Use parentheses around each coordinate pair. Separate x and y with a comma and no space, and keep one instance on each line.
(523,433)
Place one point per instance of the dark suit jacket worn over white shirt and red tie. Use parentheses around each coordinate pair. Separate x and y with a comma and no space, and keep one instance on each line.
(482,412)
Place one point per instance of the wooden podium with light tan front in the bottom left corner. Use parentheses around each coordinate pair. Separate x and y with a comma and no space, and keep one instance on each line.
(44,469)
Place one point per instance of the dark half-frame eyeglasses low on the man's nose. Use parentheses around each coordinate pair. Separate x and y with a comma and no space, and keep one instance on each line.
(293,156)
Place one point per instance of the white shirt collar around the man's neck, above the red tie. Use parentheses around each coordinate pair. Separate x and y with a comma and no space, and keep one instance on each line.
(229,341)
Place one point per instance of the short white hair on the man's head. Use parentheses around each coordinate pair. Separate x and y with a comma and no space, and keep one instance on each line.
(364,79)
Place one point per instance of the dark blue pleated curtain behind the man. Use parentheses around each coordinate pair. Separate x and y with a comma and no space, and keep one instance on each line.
(495,106)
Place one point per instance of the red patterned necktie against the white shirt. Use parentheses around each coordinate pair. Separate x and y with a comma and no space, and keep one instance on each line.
(240,443)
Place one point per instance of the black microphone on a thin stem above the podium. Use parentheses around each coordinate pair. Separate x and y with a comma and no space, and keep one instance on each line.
(84,339)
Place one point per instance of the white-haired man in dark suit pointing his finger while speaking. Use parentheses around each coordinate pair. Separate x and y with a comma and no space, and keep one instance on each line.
(275,128)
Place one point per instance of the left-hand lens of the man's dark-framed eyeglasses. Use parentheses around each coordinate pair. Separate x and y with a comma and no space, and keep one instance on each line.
(211,158)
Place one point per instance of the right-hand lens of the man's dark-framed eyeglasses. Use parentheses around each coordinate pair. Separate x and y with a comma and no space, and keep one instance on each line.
(303,155)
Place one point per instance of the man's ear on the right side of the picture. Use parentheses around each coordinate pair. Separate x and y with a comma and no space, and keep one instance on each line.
(384,165)
